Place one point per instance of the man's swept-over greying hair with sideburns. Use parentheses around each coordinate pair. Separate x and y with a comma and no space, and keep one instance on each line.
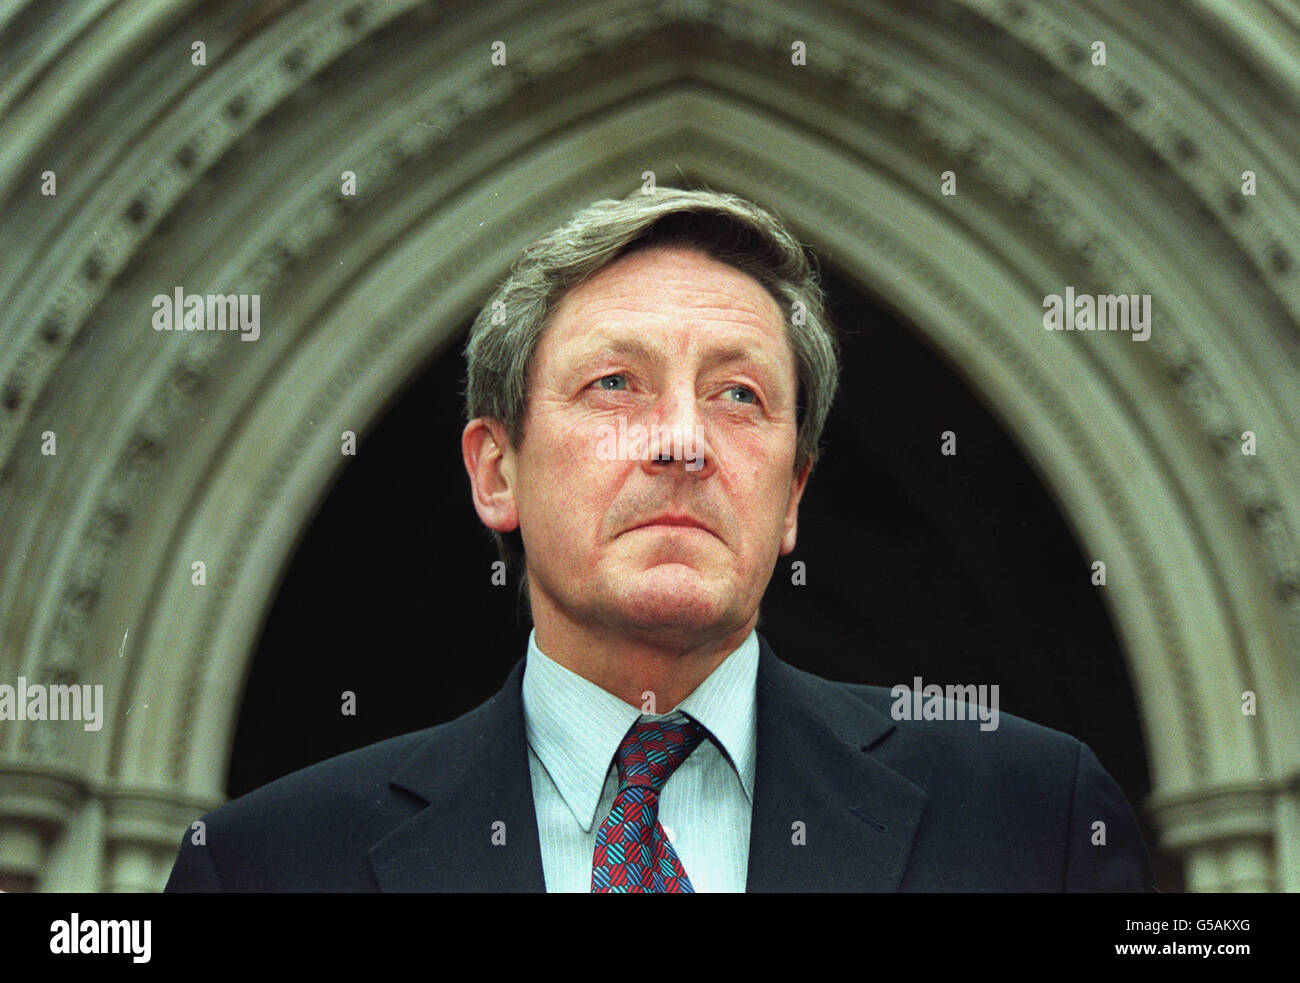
(727,228)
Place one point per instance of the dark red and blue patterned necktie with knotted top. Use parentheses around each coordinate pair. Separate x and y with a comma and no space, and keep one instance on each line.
(632,852)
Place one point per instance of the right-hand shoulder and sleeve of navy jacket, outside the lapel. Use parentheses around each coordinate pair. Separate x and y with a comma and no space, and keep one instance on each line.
(1025,799)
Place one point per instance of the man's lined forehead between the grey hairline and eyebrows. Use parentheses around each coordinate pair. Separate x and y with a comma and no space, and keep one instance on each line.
(675,300)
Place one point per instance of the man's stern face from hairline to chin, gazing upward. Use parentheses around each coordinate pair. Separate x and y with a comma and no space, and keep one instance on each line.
(688,358)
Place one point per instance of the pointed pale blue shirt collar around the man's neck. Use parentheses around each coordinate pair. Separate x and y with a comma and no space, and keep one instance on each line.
(575,727)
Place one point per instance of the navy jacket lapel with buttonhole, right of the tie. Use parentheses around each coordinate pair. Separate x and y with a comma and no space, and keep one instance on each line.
(859,817)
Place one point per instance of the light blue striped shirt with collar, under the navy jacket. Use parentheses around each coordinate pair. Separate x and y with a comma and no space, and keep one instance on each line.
(575,727)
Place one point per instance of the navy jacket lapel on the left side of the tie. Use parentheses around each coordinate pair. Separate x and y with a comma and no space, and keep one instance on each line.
(474,776)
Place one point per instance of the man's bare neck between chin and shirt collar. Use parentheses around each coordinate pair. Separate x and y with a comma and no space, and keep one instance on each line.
(634,664)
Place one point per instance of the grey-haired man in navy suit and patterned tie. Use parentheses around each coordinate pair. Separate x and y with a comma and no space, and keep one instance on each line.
(645,399)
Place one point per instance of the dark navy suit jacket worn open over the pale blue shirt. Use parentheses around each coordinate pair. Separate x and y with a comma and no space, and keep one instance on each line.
(909,806)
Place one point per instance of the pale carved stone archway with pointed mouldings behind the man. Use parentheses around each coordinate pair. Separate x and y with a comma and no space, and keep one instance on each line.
(226,179)
